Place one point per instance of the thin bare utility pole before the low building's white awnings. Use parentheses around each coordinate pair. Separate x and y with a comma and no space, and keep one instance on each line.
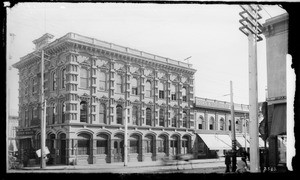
(232,129)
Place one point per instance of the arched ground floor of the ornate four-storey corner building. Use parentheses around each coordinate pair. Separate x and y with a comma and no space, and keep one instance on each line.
(79,146)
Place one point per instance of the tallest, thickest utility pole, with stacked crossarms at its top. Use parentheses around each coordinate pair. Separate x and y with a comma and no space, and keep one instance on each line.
(252,29)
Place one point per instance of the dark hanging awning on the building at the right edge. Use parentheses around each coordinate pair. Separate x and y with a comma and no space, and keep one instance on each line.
(278,126)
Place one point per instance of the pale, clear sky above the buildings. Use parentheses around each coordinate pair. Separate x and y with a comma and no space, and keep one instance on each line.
(208,33)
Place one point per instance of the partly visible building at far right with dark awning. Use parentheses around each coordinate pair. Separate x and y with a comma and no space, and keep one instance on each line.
(276,33)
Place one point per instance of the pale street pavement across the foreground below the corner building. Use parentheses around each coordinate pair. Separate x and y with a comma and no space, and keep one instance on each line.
(192,166)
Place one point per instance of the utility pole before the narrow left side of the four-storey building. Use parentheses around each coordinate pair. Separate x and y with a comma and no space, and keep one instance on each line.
(43,113)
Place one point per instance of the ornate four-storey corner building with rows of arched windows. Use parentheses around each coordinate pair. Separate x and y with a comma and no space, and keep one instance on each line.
(91,88)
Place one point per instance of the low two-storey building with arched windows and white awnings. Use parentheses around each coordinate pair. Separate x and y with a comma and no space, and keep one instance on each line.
(213,127)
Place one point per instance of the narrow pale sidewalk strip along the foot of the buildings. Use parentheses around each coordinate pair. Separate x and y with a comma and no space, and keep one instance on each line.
(117,165)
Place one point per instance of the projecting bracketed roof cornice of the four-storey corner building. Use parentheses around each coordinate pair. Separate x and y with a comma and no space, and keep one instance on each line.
(73,41)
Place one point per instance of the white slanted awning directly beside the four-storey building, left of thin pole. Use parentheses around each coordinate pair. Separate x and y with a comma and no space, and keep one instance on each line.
(215,142)
